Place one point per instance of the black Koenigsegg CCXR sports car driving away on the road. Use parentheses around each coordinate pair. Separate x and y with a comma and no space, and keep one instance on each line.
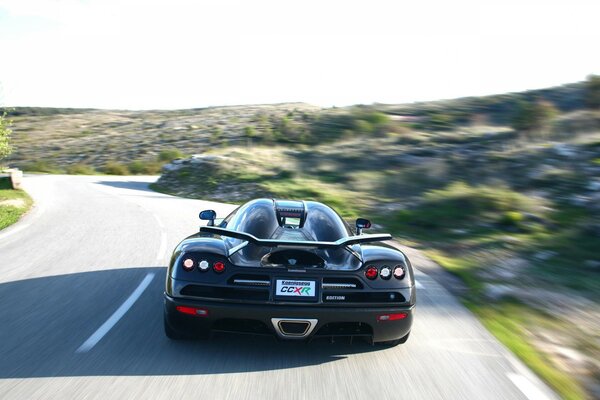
(288,268)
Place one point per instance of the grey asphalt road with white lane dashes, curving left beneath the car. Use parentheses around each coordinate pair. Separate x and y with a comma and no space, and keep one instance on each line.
(81,282)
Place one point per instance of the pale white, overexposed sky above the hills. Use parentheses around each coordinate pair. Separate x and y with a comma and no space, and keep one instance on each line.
(182,54)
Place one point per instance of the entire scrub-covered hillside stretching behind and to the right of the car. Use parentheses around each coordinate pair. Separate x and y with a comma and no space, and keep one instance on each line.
(503,191)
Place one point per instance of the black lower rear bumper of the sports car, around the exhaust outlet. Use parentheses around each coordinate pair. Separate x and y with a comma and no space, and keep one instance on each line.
(263,319)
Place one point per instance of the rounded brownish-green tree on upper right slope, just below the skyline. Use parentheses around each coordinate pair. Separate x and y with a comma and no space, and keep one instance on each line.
(533,117)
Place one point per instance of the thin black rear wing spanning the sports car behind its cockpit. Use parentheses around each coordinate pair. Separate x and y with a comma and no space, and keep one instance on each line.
(343,242)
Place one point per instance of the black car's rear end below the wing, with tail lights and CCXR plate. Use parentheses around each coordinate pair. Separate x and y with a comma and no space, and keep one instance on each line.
(206,293)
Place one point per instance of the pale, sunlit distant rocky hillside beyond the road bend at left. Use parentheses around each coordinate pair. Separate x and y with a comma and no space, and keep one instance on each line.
(56,140)
